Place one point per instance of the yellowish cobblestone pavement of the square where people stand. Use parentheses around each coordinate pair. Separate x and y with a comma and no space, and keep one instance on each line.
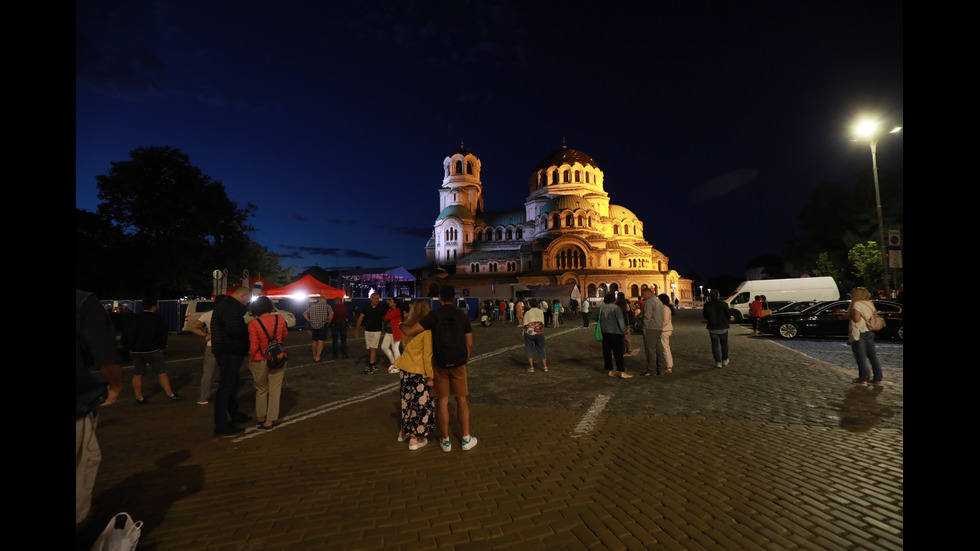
(775,451)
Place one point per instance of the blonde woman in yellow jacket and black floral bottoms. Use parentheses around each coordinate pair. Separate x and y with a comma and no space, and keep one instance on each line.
(415,366)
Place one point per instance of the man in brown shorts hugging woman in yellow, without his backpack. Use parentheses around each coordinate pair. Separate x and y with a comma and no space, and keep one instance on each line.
(448,382)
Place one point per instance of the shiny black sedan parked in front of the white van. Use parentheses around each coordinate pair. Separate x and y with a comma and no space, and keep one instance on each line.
(829,319)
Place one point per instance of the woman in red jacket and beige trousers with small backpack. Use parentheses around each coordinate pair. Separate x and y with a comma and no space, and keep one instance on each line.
(268,383)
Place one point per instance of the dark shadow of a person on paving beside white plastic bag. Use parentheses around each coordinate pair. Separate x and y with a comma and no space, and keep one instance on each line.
(145,496)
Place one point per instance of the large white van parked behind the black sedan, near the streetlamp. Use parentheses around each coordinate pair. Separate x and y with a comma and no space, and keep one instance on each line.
(780,292)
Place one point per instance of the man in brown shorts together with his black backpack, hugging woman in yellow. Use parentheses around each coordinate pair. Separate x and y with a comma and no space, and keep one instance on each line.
(452,339)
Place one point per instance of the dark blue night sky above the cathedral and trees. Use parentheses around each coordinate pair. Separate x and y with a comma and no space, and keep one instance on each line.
(712,121)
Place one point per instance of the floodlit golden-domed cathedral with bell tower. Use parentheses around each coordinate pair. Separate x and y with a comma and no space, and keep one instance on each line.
(568,233)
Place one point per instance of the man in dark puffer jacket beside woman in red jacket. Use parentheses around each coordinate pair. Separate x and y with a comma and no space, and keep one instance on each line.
(230,343)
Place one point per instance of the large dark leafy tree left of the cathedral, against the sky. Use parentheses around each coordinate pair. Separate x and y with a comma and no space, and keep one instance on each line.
(174,225)
